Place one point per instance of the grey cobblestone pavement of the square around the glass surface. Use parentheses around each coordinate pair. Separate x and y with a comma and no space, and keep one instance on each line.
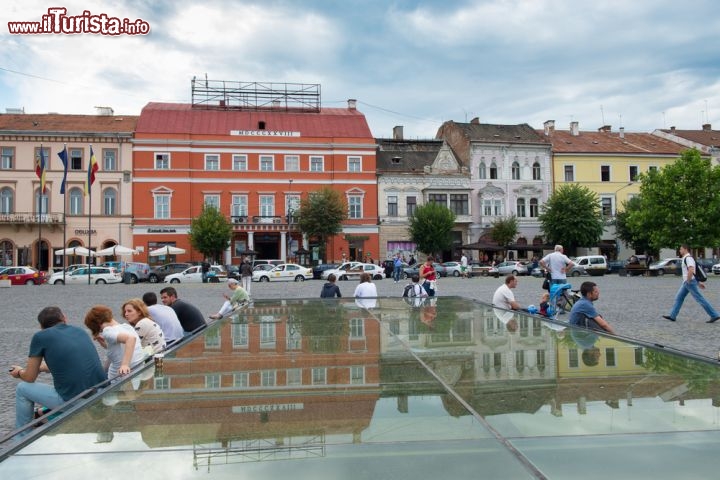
(633,305)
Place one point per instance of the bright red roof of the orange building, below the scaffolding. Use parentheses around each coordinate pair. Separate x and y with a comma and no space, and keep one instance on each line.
(177,118)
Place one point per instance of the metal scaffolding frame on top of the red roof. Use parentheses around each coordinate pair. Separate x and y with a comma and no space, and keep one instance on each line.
(228,95)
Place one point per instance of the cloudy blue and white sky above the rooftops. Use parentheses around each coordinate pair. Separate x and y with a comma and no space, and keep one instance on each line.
(640,64)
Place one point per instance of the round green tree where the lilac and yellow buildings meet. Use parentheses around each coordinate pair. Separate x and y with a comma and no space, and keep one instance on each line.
(572,217)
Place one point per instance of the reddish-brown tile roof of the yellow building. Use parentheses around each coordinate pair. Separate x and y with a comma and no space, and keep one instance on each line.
(610,142)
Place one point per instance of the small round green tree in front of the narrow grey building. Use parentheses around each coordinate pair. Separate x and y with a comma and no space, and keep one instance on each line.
(431,227)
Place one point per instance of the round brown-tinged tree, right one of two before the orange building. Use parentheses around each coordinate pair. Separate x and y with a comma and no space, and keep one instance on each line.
(321,215)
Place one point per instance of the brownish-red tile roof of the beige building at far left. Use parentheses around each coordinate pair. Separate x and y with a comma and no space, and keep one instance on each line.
(57,123)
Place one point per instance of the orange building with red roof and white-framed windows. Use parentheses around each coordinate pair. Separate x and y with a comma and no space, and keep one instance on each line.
(255,165)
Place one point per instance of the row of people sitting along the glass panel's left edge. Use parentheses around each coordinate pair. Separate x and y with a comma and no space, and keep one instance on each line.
(68,354)
